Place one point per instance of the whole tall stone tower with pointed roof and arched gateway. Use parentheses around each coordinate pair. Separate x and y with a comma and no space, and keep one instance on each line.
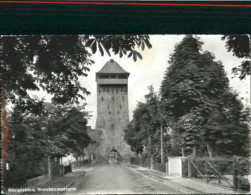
(112,109)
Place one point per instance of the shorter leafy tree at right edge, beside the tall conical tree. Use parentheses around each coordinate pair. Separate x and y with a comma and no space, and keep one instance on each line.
(226,130)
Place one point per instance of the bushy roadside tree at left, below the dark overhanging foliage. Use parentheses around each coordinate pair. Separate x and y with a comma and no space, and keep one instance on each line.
(58,131)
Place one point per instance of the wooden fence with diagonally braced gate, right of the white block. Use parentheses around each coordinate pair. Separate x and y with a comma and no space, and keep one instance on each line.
(224,172)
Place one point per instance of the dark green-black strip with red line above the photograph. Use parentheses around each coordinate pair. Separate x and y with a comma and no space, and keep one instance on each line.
(144,17)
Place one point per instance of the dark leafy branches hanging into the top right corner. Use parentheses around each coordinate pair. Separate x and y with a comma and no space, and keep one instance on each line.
(240,46)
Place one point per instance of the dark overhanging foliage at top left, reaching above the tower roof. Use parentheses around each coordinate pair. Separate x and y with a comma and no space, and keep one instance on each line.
(54,63)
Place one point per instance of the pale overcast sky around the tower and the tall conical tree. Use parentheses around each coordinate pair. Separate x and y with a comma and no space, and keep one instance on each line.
(151,69)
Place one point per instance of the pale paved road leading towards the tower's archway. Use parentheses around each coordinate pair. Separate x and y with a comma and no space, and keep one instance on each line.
(111,179)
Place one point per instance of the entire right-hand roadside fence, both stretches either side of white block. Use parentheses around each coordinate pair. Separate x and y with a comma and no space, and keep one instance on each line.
(232,173)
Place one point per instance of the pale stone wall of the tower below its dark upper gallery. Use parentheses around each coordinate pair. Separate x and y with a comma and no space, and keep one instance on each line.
(112,117)
